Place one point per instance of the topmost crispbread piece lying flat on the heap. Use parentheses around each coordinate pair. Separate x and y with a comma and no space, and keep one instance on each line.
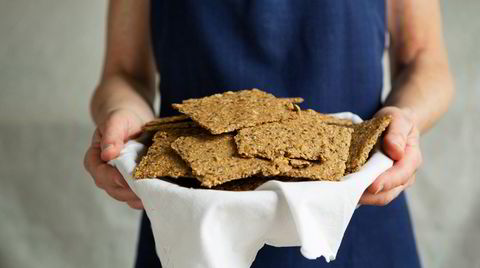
(229,111)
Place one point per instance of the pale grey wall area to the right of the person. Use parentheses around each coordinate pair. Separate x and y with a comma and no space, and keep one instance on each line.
(445,201)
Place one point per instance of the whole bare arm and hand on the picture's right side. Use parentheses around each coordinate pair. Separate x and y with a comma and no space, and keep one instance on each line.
(422,89)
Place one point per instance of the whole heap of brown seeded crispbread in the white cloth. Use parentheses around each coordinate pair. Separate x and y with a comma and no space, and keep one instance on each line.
(239,140)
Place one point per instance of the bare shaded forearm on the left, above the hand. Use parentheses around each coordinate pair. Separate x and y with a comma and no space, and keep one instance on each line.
(128,78)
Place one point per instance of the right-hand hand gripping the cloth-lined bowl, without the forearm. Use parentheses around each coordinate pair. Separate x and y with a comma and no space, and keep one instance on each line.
(400,143)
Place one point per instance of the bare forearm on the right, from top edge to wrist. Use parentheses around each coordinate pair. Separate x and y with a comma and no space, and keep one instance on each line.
(422,82)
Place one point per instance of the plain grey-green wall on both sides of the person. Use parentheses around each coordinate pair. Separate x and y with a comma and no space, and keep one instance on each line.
(51,214)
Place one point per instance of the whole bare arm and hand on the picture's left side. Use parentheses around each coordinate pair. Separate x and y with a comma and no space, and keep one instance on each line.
(123,100)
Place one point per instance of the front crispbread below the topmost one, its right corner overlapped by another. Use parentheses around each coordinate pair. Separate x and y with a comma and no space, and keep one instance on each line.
(214,159)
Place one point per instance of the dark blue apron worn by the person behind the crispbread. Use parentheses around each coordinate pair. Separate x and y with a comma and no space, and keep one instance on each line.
(327,51)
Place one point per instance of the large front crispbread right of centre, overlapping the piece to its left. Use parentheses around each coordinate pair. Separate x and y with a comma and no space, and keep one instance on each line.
(305,137)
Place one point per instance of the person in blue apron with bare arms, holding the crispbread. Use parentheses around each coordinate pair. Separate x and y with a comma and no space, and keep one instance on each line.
(328,52)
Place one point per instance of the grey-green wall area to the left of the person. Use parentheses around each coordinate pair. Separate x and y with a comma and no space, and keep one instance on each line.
(51,215)
